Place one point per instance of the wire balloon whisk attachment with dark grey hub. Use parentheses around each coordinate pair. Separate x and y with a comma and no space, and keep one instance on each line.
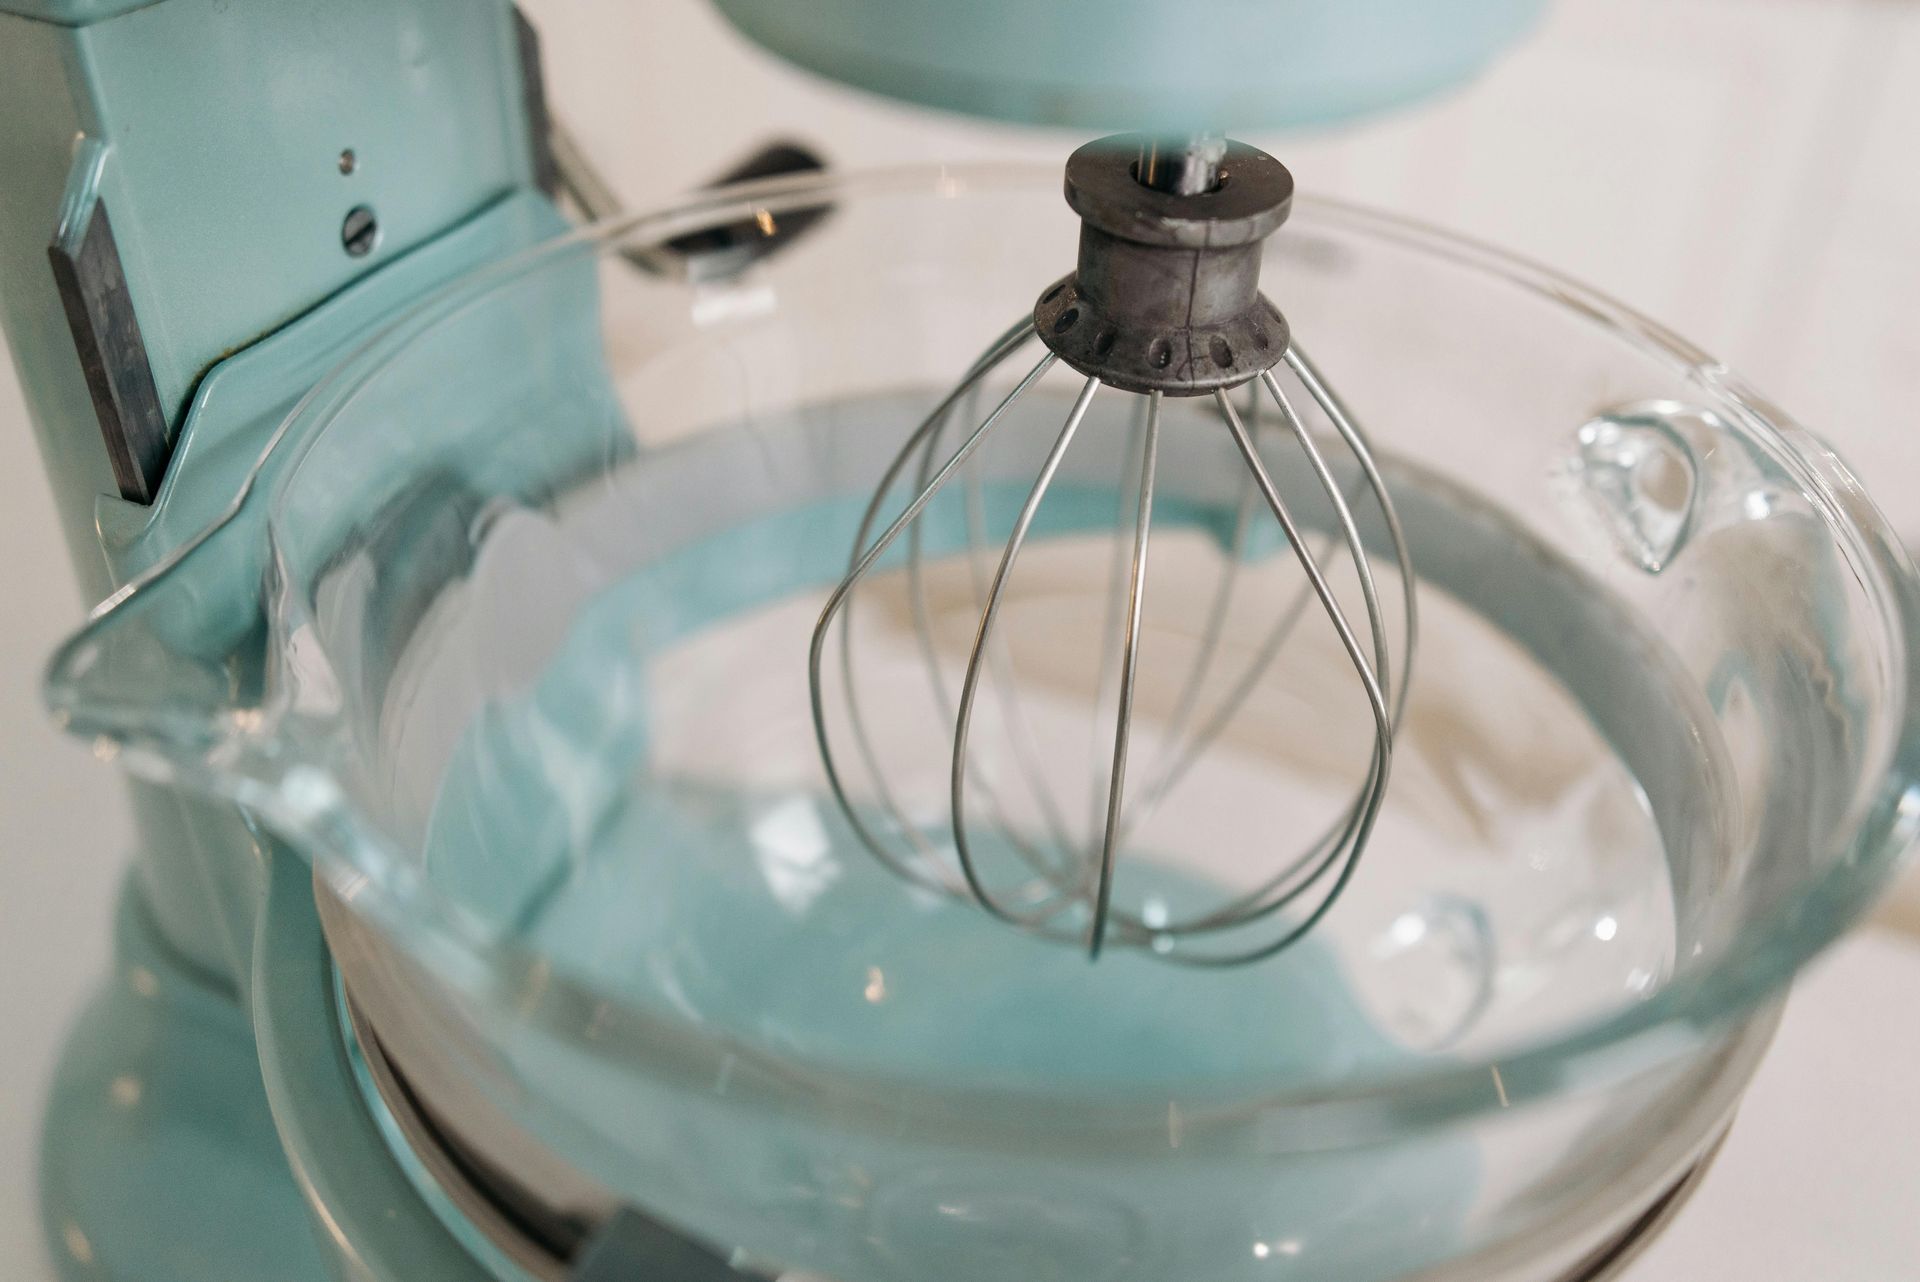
(1164,302)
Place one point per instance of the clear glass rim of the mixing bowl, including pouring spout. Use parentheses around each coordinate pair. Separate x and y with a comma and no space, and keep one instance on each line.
(1694,1010)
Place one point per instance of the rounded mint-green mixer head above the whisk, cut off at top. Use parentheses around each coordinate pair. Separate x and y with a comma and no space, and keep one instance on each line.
(1088,64)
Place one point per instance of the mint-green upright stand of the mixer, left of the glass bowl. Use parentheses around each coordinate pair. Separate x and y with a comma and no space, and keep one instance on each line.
(168,295)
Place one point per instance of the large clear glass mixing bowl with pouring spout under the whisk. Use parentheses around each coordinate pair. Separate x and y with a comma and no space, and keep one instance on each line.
(539,571)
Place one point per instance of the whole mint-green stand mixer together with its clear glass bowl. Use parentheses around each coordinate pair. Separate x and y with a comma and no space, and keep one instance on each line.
(492,914)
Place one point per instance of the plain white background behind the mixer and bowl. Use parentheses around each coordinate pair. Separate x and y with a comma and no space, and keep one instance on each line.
(1742,170)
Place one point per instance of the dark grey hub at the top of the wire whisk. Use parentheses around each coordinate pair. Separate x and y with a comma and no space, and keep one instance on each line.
(1166,297)
